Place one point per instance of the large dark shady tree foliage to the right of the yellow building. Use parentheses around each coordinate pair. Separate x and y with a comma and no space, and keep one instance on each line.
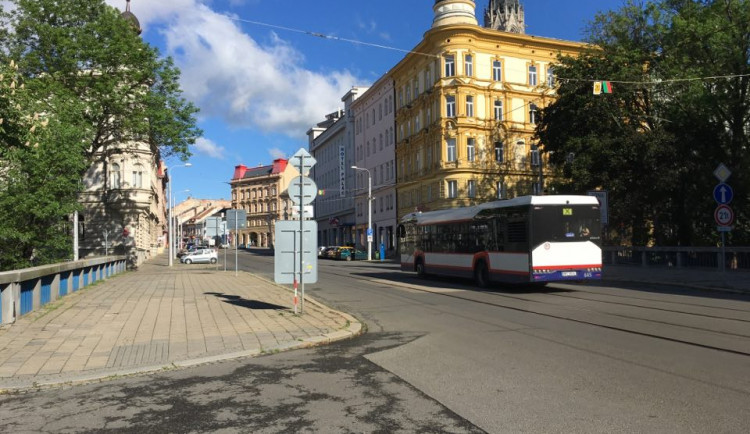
(654,143)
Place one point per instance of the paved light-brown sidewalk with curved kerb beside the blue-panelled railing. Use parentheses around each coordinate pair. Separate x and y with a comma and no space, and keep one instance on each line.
(159,318)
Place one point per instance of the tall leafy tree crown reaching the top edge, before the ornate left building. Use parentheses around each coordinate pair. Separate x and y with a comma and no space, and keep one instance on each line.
(88,49)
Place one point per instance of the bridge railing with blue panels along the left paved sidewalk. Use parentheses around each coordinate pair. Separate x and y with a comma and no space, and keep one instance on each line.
(23,291)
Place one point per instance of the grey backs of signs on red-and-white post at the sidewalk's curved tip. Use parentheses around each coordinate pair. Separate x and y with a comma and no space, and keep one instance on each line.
(302,191)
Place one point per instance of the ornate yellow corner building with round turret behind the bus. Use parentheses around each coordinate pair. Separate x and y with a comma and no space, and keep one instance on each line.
(467,100)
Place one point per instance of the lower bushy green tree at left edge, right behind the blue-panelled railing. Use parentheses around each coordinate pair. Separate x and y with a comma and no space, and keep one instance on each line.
(38,177)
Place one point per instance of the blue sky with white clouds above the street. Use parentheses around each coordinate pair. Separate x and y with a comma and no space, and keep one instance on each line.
(261,82)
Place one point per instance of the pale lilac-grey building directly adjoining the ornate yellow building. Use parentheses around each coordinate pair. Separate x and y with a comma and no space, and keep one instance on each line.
(375,144)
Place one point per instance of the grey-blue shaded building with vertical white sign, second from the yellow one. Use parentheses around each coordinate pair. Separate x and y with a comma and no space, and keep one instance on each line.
(331,143)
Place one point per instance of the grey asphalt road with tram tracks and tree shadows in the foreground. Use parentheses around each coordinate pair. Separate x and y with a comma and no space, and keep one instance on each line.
(440,356)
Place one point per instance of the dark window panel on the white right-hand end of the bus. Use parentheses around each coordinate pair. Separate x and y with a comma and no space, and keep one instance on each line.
(560,223)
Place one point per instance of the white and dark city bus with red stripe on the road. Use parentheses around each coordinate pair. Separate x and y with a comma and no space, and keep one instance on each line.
(529,239)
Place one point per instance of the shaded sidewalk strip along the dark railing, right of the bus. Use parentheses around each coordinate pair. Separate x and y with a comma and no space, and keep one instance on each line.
(702,279)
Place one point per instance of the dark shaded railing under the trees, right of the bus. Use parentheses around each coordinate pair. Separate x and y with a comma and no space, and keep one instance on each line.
(729,258)
